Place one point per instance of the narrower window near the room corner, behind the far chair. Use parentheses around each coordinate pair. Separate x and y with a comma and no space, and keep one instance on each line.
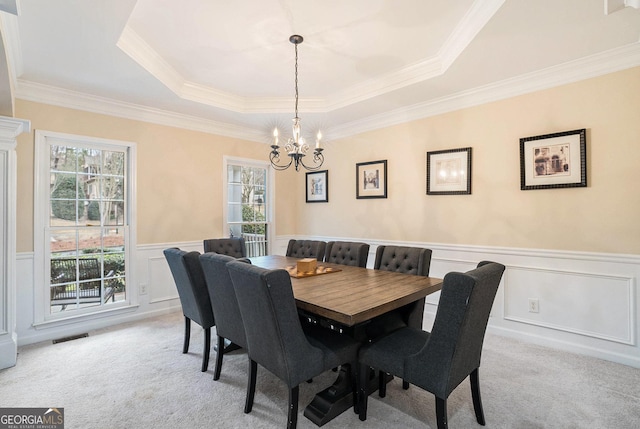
(248,204)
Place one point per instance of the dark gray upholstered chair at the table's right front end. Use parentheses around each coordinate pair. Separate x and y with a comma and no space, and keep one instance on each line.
(438,361)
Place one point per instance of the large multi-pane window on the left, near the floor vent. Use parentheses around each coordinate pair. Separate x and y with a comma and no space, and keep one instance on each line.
(82,223)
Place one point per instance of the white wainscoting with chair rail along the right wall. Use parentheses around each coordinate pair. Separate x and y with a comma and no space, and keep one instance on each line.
(587,302)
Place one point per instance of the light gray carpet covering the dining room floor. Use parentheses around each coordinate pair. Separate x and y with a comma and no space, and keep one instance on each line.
(135,376)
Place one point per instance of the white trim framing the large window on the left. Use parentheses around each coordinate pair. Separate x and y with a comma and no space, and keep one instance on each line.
(42,315)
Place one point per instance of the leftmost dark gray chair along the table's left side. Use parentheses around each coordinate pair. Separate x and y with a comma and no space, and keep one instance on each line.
(194,296)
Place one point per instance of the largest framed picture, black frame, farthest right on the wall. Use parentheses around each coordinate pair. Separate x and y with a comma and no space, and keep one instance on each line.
(554,160)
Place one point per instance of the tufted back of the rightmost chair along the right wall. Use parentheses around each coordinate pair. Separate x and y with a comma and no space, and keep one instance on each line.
(403,259)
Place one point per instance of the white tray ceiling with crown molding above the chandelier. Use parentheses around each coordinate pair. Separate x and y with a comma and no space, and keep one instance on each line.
(228,67)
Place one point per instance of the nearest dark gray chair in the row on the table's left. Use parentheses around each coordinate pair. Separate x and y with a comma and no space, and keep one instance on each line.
(275,337)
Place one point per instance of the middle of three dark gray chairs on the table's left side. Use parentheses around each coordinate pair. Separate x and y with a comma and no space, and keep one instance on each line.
(229,323)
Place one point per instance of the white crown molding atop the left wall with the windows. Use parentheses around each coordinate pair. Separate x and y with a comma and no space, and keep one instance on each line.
(31,91)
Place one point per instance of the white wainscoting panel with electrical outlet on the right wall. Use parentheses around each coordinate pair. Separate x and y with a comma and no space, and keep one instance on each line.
(594,305)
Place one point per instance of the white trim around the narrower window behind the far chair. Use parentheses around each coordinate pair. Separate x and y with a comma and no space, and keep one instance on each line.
(271,194)
